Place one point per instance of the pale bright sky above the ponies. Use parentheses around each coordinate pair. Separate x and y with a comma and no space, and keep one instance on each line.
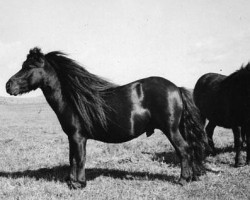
(125,40)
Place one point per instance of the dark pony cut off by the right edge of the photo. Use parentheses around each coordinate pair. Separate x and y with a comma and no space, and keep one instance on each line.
(225,102)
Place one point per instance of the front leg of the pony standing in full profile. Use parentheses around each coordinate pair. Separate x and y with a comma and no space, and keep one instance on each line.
(77,157)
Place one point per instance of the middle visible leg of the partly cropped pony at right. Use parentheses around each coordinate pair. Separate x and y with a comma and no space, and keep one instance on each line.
(238,145)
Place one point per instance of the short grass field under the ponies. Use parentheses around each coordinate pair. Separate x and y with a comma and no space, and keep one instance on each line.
(34,163)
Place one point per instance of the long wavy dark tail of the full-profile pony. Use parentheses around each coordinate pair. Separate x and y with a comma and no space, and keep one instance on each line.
(191,127)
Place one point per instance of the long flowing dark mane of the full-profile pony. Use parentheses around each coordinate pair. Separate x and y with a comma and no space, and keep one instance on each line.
(84,90)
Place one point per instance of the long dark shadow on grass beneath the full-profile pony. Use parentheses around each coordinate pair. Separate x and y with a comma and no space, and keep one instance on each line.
(59,173)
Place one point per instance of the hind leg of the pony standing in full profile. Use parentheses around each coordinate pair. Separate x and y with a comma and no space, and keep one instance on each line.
(184,152)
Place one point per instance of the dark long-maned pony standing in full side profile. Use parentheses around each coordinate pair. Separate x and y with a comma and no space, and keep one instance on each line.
(89,107)
